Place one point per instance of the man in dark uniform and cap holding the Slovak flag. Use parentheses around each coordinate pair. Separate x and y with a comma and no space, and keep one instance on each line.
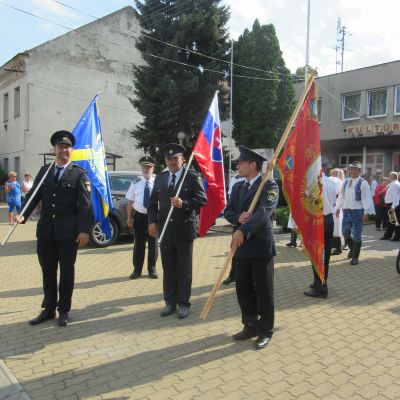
(177,244)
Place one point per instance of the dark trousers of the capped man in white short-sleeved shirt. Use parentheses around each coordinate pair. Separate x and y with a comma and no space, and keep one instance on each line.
(140,229)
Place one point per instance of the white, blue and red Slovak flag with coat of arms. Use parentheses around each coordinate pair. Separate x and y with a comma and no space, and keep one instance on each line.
(209,156)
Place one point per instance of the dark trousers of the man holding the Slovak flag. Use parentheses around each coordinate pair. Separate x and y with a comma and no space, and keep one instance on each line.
(176,257)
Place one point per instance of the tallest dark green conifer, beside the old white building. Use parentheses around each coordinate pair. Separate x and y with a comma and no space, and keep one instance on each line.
(171,96)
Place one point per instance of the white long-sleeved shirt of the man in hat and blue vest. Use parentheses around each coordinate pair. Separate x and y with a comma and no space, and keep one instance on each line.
(347,197)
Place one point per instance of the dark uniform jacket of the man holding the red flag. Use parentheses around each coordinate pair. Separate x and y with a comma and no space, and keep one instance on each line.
(258,230)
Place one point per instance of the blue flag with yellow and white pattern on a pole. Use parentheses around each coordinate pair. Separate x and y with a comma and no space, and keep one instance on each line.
(89,153)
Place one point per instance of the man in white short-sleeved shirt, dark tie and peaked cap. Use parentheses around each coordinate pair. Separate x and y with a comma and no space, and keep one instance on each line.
(138,200)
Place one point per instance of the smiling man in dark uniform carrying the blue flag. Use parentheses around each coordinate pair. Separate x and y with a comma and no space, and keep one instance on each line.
(64,225)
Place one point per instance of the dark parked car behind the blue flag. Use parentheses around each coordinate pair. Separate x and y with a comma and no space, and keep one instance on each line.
(119,185)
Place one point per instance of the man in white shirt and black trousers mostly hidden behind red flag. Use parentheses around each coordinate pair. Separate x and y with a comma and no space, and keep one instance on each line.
(318,288)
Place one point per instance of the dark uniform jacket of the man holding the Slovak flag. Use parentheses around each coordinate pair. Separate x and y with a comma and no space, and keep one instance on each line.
(182,224)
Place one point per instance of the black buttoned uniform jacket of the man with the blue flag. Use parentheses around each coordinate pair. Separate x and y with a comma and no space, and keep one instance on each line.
(66,205)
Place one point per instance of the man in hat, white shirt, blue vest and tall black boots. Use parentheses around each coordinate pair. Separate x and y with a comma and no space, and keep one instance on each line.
(356,201)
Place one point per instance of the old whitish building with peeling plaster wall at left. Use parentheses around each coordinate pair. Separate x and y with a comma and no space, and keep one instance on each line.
(49,87)
